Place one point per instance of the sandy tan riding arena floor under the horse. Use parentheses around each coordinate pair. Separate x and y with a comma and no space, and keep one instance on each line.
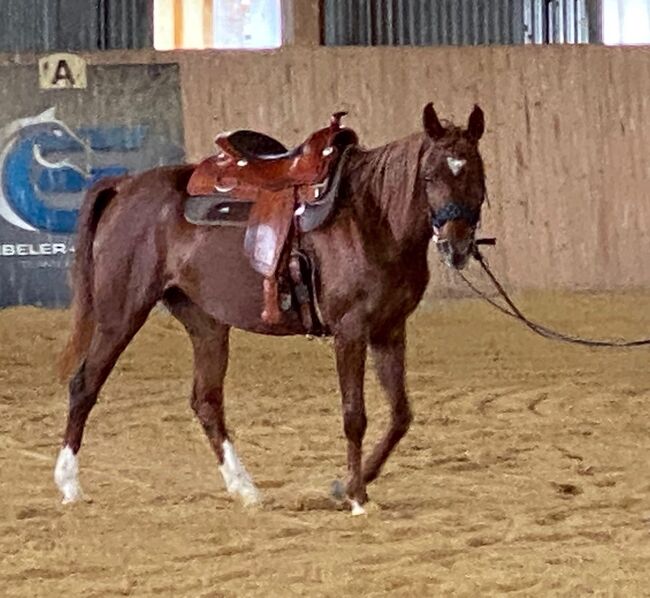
(526,472)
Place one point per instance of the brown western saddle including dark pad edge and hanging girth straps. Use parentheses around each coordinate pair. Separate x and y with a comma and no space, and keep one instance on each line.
(289,191)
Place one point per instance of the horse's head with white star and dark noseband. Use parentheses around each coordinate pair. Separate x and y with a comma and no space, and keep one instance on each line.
(454,181)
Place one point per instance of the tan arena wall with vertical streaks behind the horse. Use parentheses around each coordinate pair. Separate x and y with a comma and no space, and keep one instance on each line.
(566,146)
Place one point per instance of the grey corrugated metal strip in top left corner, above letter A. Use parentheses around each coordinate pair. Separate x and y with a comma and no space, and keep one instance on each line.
(46,25)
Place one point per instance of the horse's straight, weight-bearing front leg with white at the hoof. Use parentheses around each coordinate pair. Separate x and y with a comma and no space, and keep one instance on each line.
(350,364)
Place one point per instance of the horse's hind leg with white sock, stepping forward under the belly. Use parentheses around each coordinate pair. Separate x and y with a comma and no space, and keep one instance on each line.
(210,341)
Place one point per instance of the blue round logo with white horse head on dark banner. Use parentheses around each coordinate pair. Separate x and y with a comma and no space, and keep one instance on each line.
(40,184)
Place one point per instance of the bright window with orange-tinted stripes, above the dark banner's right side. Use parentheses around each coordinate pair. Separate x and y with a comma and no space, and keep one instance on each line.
(228,24)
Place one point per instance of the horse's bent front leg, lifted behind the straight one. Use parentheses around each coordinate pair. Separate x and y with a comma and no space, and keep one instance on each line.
(388,349)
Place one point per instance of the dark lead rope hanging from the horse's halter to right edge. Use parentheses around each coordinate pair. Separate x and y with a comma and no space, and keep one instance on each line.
(534,326)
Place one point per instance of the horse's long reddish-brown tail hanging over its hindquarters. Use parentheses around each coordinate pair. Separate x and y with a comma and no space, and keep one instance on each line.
(83,316)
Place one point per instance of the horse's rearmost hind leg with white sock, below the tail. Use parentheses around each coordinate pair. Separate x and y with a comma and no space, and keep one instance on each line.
(107,344)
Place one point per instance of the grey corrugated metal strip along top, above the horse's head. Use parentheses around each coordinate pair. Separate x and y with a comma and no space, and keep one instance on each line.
(457,22)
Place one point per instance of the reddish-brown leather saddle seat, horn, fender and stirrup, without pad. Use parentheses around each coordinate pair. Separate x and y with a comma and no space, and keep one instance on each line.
(256,168)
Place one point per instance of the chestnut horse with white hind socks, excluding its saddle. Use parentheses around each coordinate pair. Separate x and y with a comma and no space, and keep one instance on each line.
(135,248)
